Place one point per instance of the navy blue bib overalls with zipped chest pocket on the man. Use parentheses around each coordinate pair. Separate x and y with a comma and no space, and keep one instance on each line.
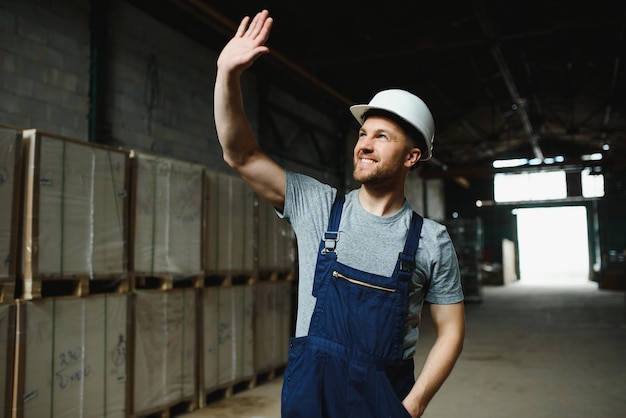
(350,364)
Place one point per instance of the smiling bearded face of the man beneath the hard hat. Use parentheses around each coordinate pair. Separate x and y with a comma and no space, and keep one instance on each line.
(383,152)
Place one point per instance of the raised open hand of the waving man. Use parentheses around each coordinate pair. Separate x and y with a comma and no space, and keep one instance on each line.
(247,45)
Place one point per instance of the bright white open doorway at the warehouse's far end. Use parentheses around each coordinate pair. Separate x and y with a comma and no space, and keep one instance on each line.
(553,245)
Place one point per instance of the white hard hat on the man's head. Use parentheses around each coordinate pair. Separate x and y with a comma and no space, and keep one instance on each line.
(407,106)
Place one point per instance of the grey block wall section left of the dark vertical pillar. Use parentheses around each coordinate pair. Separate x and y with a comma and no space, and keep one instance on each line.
(44,59)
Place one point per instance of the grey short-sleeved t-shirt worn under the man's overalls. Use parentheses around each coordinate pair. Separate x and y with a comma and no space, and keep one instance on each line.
(370,243)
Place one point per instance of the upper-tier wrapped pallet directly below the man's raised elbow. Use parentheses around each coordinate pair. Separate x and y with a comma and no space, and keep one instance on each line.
(229,243)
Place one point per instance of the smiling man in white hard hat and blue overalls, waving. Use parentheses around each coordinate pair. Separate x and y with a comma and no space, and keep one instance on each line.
(367,262)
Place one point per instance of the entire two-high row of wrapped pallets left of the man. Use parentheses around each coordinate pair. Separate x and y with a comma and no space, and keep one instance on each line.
(133,285)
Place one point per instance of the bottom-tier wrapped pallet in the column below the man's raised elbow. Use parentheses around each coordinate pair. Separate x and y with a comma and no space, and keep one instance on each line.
(228,350)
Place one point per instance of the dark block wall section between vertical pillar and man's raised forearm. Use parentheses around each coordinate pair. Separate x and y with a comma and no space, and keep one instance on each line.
(161,91)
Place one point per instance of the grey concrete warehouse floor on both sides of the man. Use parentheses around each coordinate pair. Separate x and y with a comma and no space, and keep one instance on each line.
(536,351)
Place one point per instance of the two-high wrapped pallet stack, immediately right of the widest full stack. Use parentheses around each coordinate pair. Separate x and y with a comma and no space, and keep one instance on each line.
(166,269)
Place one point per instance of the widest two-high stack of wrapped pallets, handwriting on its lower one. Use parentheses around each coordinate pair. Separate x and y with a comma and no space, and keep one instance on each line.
(71,302)
